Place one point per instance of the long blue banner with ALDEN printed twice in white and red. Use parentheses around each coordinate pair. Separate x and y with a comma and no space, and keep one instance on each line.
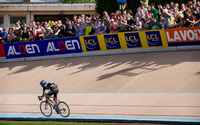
(43,48)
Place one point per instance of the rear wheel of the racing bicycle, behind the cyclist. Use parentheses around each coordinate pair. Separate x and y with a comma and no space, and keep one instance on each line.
(63,109)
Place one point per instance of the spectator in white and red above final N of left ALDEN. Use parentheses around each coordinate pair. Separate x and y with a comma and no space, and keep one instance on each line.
(38,33)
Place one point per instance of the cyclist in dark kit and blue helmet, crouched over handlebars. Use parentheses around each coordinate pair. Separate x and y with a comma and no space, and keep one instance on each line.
(53,91)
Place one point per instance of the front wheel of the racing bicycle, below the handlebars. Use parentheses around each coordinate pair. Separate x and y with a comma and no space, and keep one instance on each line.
(45,108)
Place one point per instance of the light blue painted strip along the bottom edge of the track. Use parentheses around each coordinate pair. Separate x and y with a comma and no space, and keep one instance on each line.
(100,119)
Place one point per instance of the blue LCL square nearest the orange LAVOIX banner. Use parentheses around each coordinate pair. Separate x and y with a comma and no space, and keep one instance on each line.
(154,38)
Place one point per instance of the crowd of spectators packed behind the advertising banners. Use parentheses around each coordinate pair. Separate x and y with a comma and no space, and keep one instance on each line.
(147,17)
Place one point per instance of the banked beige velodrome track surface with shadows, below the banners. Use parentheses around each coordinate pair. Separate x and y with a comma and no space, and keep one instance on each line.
(159,86)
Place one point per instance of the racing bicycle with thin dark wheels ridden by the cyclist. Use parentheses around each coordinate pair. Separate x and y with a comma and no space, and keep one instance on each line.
(46,108)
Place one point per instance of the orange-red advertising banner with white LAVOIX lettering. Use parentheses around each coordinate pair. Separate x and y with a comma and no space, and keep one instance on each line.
(183,36)
